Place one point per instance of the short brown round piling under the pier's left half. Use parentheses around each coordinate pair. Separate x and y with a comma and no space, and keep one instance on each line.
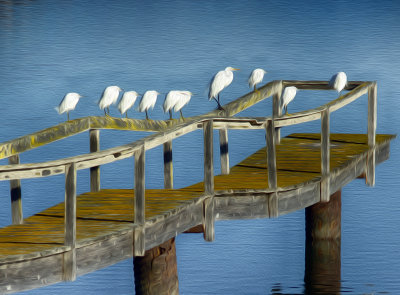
(156,272)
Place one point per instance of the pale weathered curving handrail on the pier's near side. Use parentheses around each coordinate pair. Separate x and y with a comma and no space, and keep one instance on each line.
(84,161)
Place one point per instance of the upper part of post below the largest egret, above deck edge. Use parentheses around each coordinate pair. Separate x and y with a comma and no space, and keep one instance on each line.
(208,157)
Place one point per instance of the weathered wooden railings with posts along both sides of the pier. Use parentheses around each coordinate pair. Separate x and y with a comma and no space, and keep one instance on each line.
(221,120)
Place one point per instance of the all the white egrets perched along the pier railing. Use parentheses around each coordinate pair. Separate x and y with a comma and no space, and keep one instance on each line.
(175,100)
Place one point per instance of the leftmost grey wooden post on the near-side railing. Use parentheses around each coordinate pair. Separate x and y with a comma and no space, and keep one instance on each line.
(69,273)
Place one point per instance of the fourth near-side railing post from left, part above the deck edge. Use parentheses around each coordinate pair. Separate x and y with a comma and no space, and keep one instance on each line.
(271,155)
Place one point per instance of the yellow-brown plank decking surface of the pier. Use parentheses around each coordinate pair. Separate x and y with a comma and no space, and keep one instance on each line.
(104,213)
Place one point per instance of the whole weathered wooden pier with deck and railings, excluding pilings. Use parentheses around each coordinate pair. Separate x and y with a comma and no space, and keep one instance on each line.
(101,227)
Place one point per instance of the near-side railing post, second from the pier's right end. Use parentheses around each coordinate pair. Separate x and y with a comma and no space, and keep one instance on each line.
(325,156)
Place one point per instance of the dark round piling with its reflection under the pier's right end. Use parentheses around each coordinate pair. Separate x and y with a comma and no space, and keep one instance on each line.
(323,238)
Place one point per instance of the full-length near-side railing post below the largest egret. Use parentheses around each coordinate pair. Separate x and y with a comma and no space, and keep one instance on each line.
(208,219)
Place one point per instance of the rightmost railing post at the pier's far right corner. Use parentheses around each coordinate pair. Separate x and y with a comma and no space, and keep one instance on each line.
(372,120)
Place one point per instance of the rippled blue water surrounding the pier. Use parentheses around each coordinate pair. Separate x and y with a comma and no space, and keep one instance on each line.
(49,48)
